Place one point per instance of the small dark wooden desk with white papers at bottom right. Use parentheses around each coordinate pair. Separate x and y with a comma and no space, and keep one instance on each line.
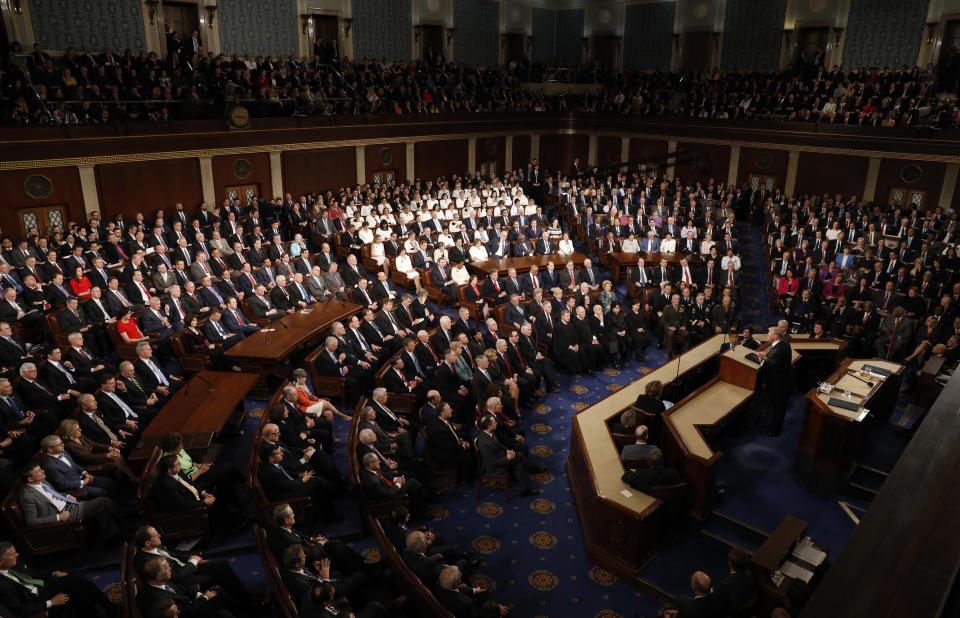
(769,558)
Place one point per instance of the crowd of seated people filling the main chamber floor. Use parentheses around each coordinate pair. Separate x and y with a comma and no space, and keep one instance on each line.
(215,273)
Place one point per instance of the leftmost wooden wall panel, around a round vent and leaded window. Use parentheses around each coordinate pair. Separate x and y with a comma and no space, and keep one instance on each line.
(65,189)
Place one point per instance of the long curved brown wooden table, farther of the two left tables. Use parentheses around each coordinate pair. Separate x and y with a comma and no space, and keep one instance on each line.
(263,352)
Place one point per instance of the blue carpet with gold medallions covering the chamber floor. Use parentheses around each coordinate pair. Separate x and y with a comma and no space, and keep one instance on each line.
(533,556)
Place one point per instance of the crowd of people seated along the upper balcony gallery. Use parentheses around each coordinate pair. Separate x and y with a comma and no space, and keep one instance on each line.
(85,87)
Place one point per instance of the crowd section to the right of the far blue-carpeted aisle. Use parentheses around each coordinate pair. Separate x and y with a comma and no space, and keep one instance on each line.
(886,280)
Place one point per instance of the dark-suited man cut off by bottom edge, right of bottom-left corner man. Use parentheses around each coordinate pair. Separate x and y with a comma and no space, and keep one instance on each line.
(160,592)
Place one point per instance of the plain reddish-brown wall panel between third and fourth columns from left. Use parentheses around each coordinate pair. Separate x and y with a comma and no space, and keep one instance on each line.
(318,170)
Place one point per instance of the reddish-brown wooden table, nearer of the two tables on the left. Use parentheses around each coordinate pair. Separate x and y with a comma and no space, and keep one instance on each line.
(200,414)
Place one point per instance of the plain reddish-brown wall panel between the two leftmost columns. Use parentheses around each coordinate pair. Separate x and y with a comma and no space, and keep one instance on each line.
(146,187)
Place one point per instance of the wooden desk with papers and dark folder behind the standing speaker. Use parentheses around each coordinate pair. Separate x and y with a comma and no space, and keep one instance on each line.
(831,435)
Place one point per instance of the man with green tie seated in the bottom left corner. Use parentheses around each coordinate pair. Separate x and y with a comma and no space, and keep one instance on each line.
(21,596)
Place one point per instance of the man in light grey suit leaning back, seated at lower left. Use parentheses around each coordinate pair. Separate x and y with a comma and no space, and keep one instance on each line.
(42,504)
